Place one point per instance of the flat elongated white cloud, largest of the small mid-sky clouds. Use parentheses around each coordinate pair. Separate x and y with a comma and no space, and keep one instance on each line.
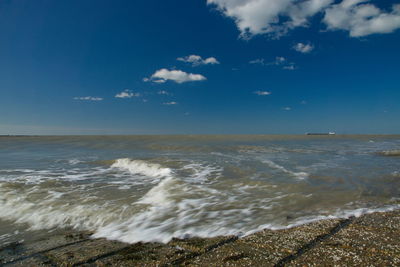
(178,76)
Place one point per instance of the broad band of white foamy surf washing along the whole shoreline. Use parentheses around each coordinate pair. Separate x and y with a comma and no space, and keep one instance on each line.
(172,208)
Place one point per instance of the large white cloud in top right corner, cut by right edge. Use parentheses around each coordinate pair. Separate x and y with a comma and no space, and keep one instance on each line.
(362,19)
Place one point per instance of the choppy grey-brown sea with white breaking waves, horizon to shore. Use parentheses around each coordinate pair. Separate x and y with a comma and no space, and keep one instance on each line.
(154,188)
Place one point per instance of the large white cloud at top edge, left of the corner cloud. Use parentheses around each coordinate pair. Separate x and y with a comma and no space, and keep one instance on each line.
(269,16)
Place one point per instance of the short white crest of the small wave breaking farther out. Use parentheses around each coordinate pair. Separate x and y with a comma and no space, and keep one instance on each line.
(142,167)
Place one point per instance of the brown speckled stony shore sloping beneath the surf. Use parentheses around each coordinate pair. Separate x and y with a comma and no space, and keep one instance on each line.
(372,239)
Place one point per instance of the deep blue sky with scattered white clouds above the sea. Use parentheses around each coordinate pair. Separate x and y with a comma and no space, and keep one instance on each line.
(199,67)
